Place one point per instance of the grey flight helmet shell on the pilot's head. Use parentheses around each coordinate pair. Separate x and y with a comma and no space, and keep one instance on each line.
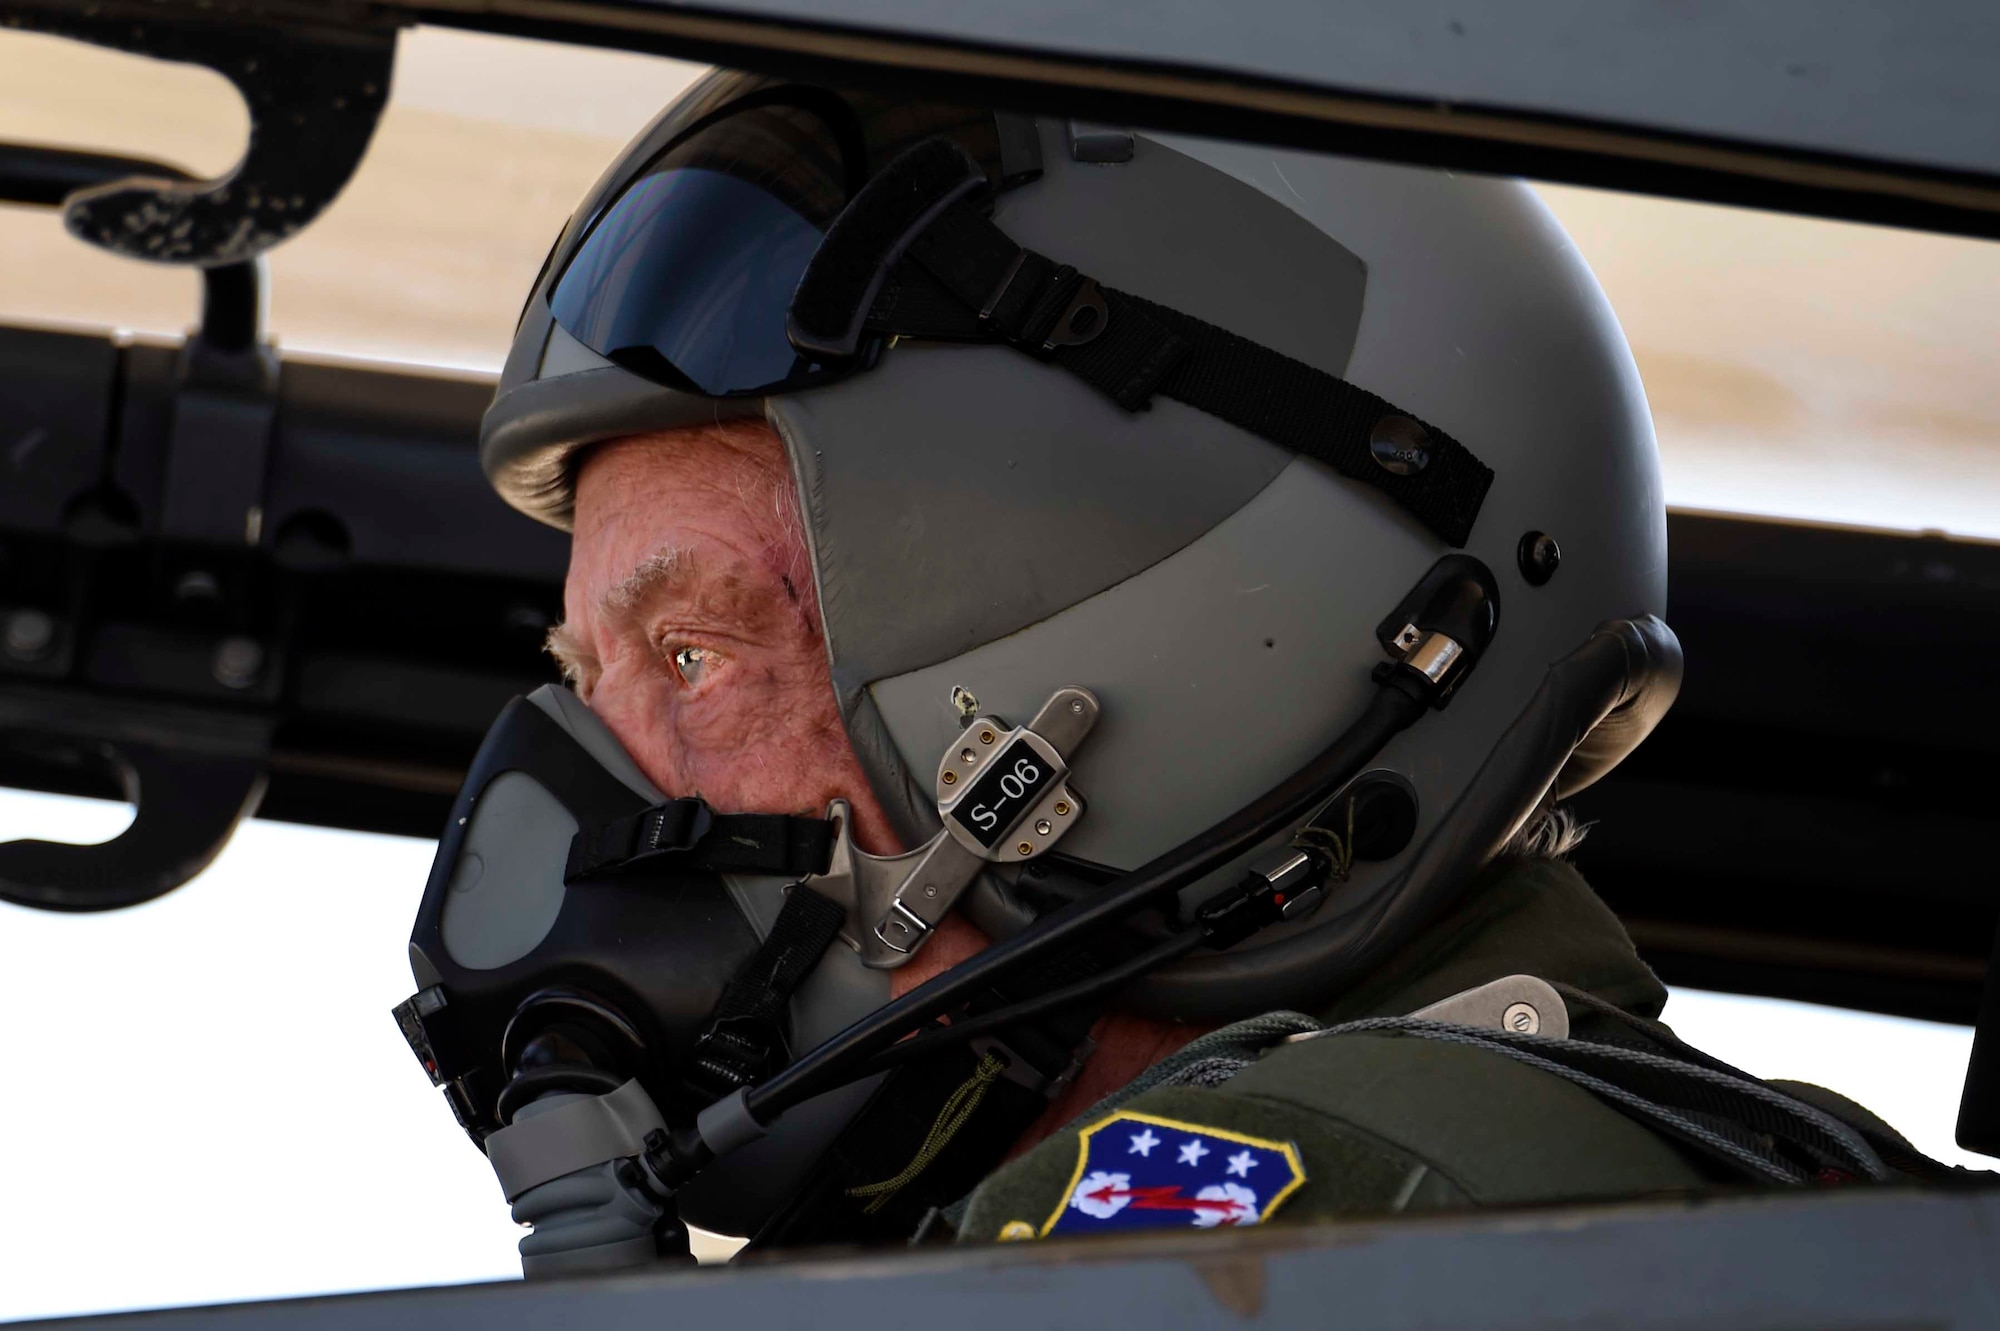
(983,521)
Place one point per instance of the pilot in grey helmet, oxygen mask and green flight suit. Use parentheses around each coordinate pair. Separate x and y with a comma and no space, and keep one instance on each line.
(1075,643)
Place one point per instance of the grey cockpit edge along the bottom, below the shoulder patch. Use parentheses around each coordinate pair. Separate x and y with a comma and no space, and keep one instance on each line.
(1843,1258)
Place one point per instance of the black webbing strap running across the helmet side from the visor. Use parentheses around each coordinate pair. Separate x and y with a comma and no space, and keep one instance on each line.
(967,279)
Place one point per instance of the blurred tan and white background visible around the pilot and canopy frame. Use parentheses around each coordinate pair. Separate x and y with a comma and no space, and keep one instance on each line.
(209,1098)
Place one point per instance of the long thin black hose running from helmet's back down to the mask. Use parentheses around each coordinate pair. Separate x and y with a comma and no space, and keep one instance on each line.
(845,1058)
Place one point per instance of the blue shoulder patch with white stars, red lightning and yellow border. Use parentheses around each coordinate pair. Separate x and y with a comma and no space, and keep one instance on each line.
(1143,1172)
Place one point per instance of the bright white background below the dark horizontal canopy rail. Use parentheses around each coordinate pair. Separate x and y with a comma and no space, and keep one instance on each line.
(207,1100)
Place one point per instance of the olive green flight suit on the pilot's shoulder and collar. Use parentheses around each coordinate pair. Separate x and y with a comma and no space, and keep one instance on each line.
(1387,1122)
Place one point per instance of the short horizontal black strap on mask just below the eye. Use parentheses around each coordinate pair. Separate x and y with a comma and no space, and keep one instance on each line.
(695,836)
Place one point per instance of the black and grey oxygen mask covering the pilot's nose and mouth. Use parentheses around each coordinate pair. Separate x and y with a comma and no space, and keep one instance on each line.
(557,966)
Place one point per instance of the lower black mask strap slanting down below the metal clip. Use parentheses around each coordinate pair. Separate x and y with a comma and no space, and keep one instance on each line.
(745,1034)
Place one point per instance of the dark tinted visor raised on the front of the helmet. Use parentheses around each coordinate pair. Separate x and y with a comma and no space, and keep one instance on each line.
(687,275)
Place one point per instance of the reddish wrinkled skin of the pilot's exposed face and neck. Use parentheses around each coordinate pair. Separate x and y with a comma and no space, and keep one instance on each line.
(693,631)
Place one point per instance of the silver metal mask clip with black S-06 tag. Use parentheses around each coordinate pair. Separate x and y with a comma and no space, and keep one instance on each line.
(1003,798)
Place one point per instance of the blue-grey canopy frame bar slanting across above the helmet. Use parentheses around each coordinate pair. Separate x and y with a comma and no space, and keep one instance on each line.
(1675,125)
